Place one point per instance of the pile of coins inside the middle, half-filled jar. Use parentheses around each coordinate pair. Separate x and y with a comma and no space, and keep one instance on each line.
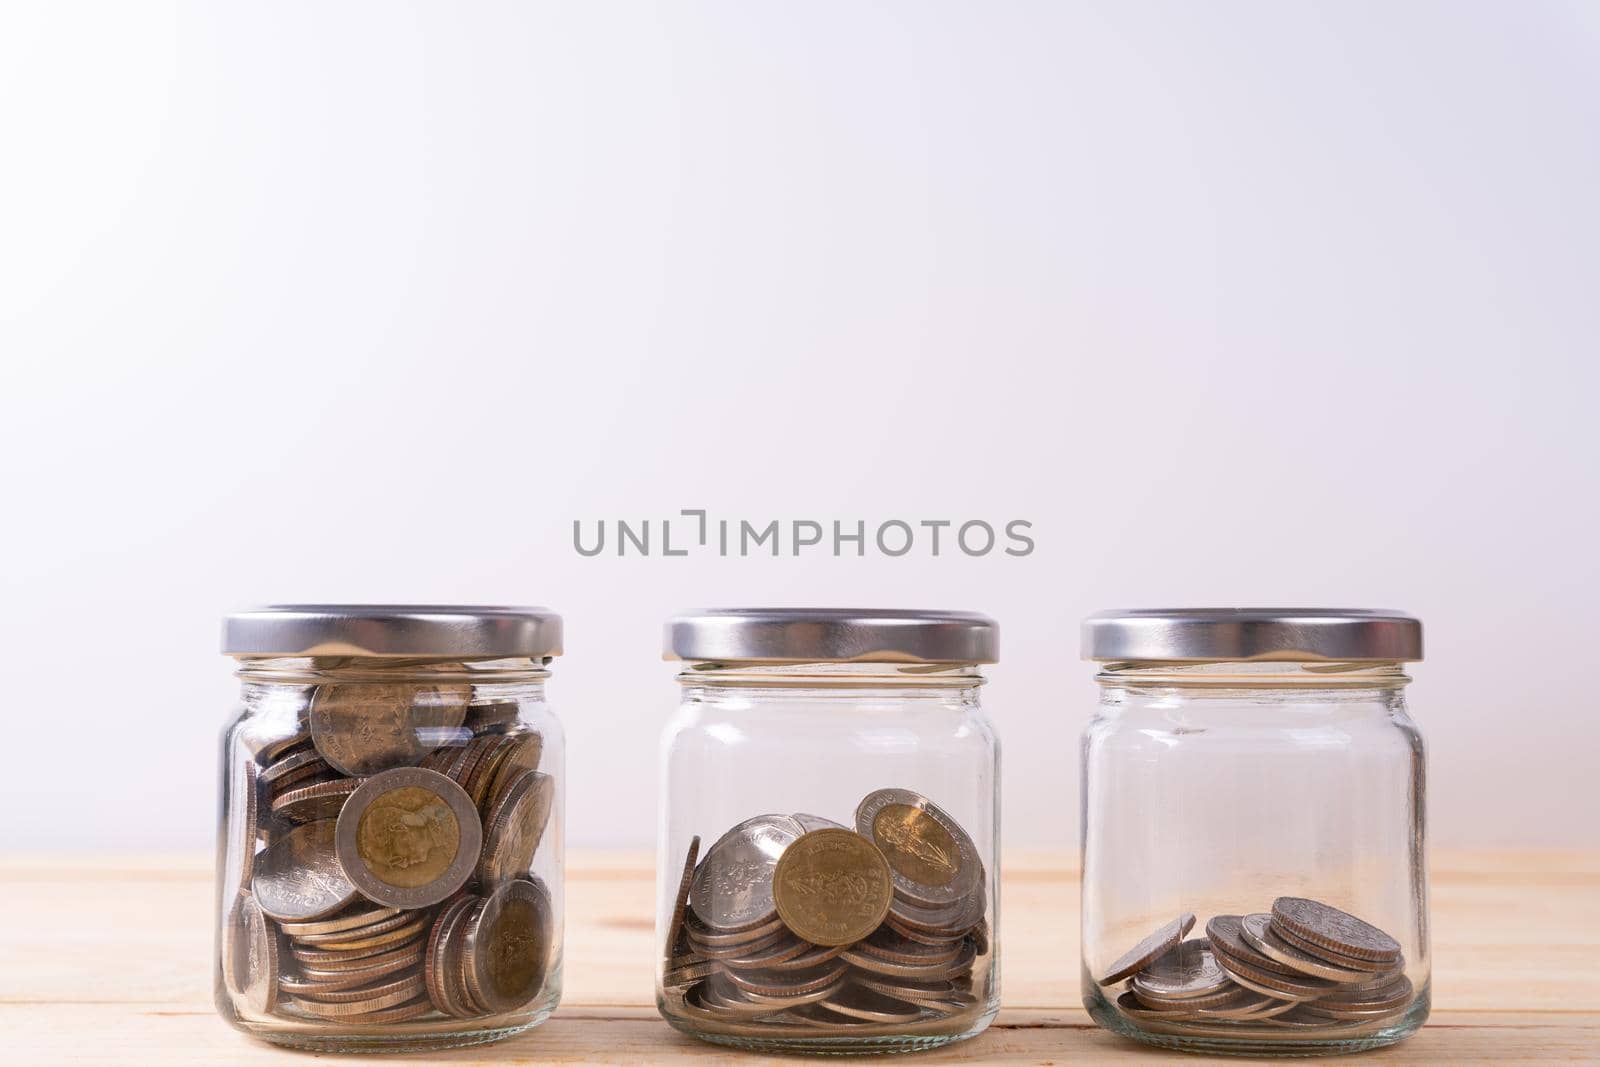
(793,921)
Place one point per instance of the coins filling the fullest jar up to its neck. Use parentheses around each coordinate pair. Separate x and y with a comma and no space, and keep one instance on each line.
(398,828)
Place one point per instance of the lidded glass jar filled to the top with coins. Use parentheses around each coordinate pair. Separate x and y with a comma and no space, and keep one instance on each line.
(390,857)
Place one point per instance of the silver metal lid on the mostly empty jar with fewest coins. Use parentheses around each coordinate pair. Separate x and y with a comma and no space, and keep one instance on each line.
(1220,634)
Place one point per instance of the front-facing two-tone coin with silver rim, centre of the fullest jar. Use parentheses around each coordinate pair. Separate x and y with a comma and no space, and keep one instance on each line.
(409,837)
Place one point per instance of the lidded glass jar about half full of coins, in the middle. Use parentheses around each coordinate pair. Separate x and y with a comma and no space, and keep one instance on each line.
(830,831)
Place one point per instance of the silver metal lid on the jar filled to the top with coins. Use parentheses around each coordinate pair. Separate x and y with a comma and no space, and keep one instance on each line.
(393,631)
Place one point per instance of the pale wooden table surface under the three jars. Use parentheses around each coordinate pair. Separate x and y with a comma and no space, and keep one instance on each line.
(105,959)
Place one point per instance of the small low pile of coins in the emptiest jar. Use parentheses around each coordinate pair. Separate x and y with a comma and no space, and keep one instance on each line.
(1302,967)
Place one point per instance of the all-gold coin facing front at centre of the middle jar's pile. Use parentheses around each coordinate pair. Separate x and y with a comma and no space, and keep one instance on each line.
(833,887)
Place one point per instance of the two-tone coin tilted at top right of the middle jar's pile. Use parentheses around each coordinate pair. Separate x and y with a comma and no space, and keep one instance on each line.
(930,857)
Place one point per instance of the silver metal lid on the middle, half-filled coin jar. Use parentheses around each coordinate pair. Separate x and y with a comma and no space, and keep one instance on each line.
(809,636)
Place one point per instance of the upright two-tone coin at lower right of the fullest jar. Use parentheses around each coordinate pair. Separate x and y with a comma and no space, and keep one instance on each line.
(508,946)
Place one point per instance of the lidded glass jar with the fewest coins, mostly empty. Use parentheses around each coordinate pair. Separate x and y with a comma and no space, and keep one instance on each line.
(1255,876)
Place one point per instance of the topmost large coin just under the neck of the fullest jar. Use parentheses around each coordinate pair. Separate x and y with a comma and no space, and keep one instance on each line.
(362,729)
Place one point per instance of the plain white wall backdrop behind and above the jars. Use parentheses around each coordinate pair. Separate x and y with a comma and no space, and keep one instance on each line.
(1239,303)
